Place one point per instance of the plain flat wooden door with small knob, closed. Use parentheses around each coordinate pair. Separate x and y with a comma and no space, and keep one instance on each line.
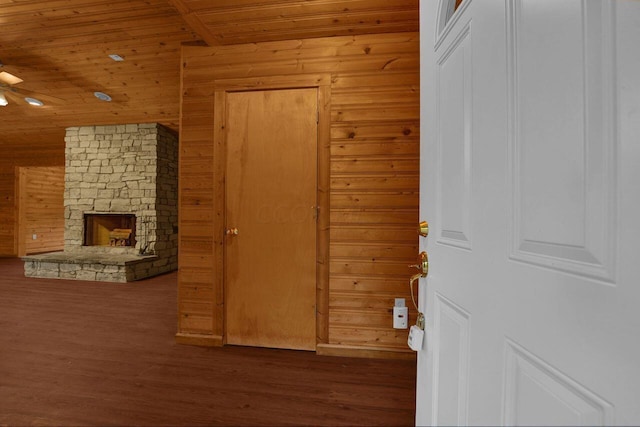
(271,200)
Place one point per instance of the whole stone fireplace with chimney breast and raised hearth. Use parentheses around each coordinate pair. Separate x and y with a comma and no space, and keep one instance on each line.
(121,186)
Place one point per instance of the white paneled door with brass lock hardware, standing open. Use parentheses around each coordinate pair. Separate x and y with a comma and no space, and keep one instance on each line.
(530,180)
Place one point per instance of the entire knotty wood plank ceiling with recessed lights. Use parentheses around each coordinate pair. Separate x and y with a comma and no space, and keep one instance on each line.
(60,49)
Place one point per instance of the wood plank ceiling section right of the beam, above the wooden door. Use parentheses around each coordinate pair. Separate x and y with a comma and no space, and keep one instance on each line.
(249,21)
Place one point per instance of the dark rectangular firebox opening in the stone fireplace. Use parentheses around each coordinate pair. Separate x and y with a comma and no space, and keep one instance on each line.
(117,230)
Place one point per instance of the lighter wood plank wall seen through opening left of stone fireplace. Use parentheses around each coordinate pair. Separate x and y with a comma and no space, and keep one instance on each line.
(40,209)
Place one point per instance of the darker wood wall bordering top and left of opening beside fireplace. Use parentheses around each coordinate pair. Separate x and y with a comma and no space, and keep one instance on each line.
(41,153)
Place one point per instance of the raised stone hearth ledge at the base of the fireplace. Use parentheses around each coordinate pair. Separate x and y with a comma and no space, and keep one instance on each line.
(99,267)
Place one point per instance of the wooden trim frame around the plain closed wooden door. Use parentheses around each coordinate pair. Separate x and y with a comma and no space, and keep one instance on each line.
(321,82)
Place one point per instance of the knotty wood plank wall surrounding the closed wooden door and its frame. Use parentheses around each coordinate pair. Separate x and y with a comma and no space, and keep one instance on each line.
(374,177)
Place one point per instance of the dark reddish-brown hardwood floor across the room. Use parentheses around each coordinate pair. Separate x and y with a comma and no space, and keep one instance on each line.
(76,353)
